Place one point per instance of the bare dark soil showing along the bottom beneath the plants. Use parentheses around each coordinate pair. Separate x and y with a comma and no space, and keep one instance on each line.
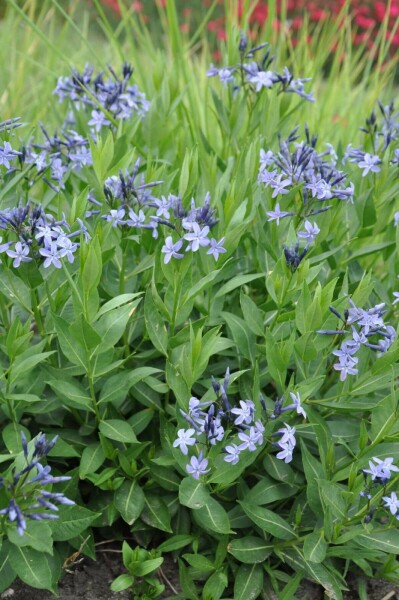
(91,580)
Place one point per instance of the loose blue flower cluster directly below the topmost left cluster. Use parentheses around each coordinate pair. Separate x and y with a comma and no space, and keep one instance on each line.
(54,159)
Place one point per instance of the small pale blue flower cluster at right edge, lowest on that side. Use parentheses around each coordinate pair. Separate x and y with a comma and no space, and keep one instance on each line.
(379,473)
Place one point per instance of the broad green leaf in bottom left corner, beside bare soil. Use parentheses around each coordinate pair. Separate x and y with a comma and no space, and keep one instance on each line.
(31,566)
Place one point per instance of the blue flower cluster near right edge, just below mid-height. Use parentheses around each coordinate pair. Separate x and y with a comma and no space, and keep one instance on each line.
(368,329)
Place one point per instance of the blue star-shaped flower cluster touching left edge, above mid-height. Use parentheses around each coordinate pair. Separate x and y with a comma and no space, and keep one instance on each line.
(38,236)
